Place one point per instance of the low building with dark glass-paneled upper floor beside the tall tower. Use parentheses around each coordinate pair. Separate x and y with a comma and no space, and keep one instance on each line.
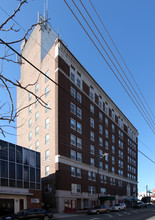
(20,182)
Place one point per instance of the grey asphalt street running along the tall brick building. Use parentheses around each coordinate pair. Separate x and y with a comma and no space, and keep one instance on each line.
(130,214)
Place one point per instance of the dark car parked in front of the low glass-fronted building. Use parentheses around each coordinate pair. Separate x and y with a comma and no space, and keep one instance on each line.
(30,214)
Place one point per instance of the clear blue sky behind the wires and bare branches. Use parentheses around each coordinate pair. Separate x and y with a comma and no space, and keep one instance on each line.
(131,26)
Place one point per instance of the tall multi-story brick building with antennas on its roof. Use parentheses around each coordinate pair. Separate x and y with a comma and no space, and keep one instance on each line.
(82,124)
